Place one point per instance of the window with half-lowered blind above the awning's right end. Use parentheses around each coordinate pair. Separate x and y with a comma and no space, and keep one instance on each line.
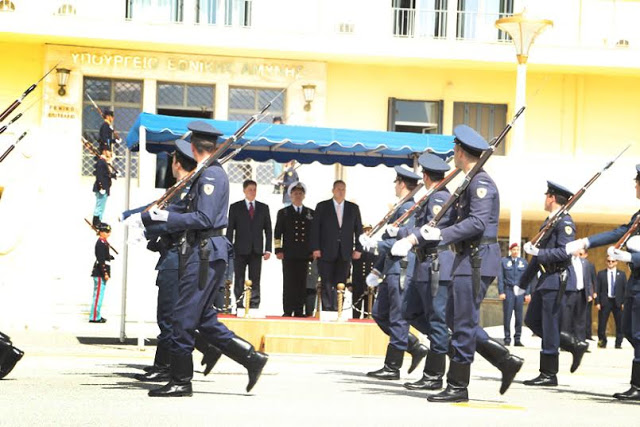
(415,116)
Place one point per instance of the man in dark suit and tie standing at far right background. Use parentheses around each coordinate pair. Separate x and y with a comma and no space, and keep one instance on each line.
(611,289)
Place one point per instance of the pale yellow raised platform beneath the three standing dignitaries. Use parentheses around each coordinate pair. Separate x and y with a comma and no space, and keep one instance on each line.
(310,336)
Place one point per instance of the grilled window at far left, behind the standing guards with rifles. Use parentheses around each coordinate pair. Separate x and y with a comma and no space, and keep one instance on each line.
(125,98)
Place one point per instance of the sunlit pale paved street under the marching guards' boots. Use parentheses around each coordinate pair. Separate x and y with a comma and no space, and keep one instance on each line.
(62,381)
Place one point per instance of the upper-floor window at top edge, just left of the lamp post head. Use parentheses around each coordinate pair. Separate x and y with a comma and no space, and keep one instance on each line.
(476,19)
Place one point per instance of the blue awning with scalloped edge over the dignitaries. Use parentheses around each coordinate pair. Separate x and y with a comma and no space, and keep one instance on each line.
(305,144)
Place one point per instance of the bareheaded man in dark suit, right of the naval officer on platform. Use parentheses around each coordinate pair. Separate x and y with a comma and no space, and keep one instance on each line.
(334,231)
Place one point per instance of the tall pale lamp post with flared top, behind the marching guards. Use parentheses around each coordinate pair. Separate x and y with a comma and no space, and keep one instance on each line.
(523,32)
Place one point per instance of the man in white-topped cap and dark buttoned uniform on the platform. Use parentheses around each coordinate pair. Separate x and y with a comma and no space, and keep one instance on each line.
(292,246)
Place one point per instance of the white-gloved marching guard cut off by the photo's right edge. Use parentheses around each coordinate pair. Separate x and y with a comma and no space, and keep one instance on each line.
(631,312)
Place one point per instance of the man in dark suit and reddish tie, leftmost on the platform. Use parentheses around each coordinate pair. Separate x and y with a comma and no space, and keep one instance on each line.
(250,221)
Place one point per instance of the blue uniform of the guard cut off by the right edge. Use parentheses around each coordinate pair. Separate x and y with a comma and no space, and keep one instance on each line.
(631,312)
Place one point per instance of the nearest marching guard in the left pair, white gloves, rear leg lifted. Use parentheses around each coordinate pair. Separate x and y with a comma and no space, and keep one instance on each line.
(205,255)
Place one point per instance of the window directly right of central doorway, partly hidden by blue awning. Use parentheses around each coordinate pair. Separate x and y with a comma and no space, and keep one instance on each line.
(243,103)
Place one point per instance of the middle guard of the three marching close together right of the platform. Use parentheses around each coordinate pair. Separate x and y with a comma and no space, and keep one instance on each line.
(425,298)
